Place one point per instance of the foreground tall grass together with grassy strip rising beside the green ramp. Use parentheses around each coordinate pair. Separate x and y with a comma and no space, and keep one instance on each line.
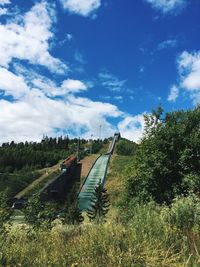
(138,235)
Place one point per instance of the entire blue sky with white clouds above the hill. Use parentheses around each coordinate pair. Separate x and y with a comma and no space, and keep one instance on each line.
(90,68)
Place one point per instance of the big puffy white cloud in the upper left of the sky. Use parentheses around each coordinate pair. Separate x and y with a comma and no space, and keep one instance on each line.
(28,39)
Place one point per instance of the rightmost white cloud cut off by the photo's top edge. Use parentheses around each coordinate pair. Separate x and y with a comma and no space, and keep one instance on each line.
(168,6)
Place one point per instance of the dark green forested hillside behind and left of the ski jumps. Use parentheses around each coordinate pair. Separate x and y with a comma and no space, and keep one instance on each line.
(20,162)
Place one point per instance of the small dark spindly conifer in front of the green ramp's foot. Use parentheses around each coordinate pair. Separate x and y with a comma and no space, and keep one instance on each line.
(99,204)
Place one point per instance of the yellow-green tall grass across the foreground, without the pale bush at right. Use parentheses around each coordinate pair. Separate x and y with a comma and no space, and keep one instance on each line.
(147,240)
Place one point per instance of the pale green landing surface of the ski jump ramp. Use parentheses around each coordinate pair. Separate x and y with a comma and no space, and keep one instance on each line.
(96,174)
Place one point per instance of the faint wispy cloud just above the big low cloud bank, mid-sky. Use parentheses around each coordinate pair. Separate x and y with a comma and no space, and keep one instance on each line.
(111,82)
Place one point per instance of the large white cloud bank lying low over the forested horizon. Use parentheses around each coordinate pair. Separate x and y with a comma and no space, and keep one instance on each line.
(35,112)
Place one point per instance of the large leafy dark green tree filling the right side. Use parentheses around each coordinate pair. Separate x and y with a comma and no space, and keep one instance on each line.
(169,152)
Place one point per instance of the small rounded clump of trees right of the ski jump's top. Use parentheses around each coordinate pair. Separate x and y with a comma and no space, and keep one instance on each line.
(126,148)
